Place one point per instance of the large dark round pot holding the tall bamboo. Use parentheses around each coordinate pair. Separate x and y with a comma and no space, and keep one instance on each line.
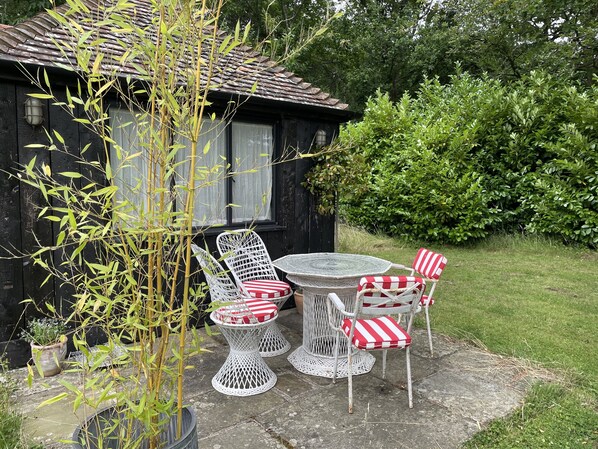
(91,434)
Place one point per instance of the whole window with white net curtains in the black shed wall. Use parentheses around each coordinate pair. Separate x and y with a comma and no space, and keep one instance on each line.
(234,169)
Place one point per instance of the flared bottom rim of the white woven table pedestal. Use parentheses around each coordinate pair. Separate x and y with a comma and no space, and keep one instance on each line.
(313,365)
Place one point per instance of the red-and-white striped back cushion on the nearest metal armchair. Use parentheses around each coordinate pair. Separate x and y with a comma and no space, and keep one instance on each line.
(394,284)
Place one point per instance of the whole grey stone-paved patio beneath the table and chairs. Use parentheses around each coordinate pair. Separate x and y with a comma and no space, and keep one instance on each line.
(457,391)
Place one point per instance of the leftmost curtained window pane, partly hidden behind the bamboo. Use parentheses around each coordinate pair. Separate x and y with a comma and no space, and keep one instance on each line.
(128,160)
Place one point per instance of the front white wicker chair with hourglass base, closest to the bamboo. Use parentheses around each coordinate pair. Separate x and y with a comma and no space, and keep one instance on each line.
(242,321)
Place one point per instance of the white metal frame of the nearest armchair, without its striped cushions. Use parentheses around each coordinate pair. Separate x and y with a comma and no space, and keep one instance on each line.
(403,301)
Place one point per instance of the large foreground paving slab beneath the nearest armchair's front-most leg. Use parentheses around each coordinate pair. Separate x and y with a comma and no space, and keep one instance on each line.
(382,421)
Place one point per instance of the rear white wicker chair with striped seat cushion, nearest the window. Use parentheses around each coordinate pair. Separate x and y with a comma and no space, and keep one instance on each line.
(248,260)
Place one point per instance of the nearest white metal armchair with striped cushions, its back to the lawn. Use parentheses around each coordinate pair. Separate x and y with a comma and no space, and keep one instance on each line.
(371,325)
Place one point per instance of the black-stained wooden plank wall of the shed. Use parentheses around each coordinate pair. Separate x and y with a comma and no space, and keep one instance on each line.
(297,228)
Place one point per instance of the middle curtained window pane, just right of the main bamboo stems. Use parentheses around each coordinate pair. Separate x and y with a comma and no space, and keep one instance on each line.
(210,193)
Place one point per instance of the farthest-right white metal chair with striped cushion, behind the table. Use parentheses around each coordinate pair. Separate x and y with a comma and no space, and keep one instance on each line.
(430,266)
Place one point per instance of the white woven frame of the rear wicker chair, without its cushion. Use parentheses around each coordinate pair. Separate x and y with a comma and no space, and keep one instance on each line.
(247,258)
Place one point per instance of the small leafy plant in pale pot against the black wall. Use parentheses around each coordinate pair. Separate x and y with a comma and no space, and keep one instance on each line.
(48,344)
